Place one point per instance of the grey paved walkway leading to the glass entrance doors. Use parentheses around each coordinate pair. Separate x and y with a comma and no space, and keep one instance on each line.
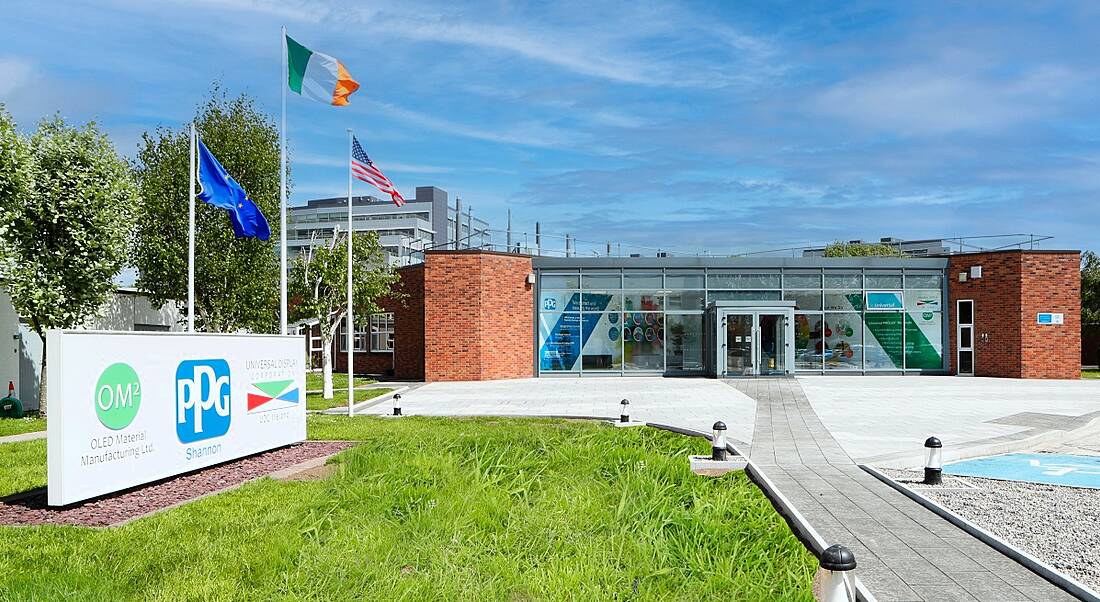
(904,552)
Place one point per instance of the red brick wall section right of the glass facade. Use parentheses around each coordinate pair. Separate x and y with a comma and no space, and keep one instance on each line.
(1014,289)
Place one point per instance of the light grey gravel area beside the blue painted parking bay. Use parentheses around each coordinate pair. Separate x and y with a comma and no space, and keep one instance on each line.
(1060,526)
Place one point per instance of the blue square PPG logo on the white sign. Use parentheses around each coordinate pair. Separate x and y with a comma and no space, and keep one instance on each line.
(203,400)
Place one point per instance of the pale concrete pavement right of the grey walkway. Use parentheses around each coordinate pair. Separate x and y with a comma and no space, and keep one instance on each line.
(885,420)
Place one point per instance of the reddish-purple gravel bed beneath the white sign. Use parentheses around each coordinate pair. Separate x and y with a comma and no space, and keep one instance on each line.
(32,510)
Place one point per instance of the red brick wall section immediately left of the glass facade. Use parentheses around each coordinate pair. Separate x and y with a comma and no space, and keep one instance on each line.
(478,316)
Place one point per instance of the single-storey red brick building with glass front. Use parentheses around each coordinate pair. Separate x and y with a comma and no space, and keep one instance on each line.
(480,315)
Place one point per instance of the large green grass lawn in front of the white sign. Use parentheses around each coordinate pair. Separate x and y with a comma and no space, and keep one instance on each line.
(432,509)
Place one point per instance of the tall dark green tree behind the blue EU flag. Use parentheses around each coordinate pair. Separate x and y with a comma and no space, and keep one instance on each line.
(236,280)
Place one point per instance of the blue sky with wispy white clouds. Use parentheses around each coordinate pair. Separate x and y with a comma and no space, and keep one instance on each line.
(698,127)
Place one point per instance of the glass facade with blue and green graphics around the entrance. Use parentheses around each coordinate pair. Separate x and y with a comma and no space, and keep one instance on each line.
(653,321)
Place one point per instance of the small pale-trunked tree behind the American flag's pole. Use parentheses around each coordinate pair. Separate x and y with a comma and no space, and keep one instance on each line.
(320,287)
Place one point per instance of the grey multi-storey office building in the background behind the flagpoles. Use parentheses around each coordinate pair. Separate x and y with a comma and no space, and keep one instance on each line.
(425,223)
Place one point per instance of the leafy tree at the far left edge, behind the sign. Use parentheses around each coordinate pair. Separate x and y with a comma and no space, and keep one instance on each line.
(67,207)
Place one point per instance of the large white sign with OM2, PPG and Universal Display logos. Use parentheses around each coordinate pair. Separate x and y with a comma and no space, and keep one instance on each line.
(127,409)
